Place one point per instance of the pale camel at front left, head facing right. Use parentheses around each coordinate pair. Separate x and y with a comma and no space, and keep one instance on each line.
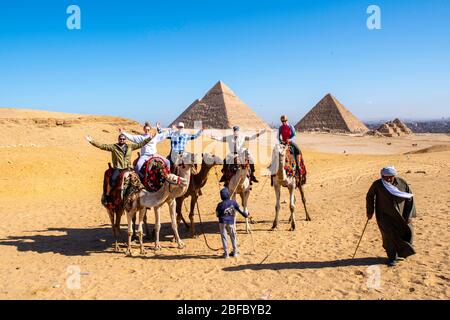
(142,200)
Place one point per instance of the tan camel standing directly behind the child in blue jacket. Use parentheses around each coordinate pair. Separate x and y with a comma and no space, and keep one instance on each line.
(240,184)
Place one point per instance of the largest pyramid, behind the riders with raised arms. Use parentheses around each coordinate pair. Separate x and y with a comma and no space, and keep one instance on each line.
(220,108)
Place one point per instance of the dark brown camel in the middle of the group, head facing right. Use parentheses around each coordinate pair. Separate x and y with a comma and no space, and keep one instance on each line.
(197,182)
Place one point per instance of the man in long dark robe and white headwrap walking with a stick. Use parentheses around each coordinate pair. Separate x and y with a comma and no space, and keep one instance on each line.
(392,201)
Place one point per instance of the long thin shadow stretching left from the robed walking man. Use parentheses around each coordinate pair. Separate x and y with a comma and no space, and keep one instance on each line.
(368,261)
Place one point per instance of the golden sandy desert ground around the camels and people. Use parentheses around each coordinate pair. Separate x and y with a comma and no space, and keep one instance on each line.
(54,227)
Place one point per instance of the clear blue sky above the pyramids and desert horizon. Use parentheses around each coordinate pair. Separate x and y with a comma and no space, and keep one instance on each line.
(151,59)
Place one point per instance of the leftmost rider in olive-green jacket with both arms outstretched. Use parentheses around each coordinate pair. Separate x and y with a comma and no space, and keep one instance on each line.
(120,154)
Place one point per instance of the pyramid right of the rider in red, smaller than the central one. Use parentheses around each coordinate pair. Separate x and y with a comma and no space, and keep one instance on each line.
(330,115)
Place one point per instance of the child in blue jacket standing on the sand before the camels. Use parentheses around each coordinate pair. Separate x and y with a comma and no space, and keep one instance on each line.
(226,212)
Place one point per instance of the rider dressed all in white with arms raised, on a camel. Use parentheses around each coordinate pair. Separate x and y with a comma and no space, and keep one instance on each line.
(150,149)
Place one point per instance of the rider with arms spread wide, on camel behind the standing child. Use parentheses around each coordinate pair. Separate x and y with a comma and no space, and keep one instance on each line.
(236,144)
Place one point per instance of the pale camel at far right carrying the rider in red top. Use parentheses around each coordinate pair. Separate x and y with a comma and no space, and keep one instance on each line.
(281,179)
